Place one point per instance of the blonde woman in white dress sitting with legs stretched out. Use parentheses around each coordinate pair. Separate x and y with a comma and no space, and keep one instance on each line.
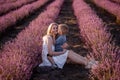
(61,57)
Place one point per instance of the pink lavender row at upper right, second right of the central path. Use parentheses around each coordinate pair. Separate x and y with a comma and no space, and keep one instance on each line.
(110,7)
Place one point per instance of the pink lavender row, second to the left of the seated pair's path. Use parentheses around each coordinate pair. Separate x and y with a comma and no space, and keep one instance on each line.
(11,18)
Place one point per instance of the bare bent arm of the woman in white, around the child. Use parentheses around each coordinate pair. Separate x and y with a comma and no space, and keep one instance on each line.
(50,51)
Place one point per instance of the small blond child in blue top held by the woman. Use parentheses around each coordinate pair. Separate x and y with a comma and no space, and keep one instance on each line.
(60,42)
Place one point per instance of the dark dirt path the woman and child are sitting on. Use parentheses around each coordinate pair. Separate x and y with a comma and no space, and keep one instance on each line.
(70,71)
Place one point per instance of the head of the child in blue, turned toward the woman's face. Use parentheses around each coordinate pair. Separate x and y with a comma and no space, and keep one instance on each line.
(63,29)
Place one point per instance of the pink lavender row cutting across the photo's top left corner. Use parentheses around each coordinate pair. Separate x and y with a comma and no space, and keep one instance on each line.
(10,6)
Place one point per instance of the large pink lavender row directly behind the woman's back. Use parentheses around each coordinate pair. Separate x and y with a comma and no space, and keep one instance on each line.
(20,56)
